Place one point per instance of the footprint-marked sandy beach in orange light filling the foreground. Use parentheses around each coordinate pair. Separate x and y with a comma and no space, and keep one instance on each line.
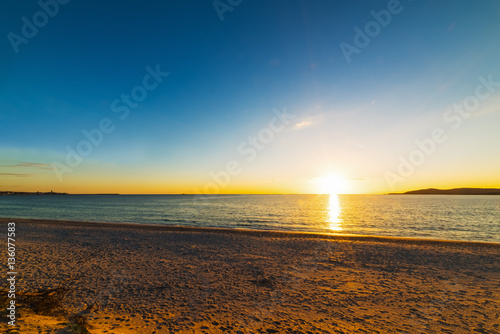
(153,279)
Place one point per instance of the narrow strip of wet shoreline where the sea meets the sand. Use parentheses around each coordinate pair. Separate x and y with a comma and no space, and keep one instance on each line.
(255,232)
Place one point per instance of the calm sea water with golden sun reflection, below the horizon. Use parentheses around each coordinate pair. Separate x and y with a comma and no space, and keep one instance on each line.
(474,218)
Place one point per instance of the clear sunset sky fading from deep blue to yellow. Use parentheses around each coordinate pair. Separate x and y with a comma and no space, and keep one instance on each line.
(161,97)
